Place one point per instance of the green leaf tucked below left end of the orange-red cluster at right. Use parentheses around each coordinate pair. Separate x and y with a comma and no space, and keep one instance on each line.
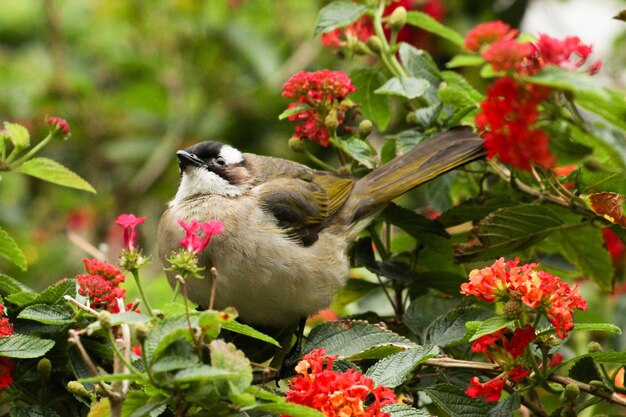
(450,329)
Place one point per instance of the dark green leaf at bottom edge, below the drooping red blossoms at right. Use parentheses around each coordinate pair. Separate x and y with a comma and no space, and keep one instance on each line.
(453,402)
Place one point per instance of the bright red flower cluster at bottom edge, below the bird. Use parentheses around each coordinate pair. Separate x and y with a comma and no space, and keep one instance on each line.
(334,393)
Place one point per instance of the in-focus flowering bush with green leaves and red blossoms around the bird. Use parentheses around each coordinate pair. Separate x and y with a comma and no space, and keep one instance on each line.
(77,349)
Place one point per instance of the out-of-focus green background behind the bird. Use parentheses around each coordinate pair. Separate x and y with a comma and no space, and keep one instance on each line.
(139,79)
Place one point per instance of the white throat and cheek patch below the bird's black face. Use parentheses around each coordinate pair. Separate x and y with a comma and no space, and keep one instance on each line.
(199,181)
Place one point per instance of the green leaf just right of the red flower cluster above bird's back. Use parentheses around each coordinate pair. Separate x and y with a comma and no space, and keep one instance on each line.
(375,107)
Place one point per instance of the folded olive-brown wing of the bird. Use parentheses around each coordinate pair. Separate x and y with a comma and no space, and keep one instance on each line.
(302,206)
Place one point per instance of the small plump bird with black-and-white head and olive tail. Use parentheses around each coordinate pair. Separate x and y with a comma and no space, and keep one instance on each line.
(288,227)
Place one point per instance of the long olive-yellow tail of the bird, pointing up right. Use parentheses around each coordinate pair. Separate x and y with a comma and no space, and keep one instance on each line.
(438,155)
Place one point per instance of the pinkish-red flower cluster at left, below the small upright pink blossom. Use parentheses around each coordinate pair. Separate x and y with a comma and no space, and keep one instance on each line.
(101,284)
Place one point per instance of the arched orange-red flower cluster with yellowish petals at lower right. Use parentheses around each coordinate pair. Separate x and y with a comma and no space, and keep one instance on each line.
(538,290)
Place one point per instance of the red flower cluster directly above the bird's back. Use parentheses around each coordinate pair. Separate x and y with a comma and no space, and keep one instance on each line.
(318,94)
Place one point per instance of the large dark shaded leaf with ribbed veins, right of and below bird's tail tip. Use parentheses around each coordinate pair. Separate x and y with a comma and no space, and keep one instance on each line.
(511,229)
